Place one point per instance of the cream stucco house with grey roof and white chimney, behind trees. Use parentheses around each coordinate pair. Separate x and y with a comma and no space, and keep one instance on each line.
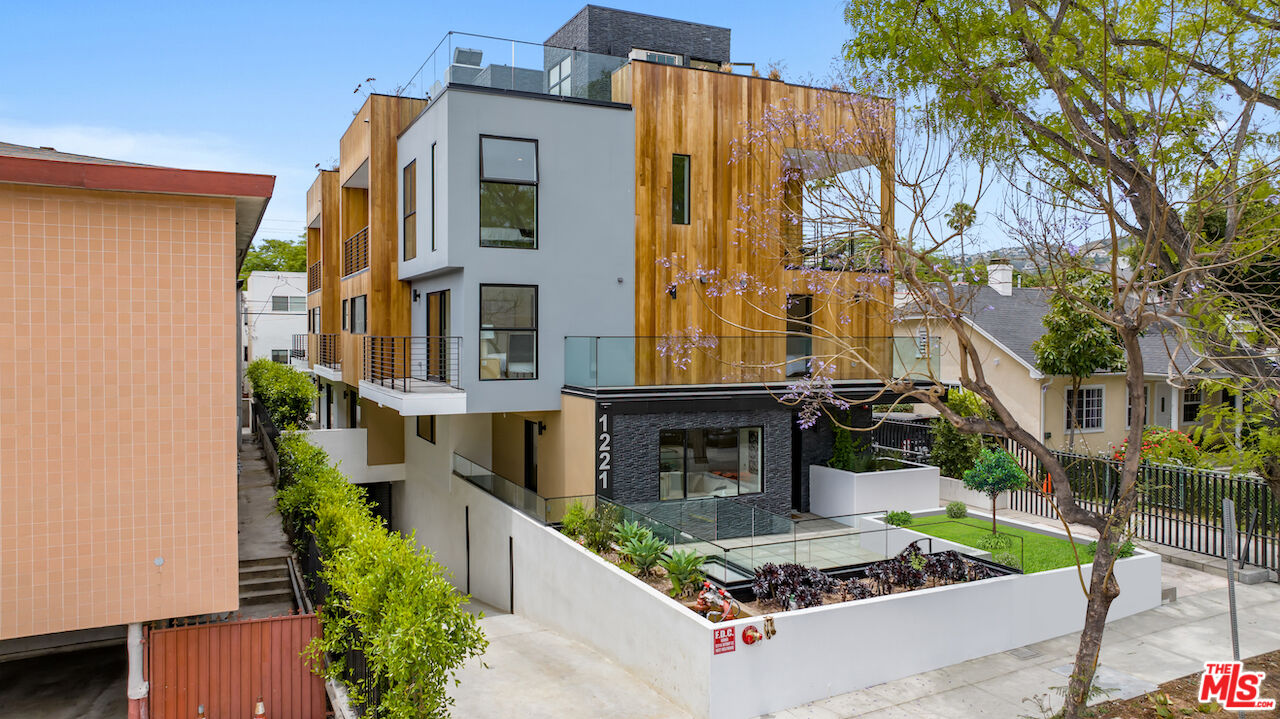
(1008,319)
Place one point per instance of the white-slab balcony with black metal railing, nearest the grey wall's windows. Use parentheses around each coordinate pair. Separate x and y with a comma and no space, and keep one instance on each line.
(414,375)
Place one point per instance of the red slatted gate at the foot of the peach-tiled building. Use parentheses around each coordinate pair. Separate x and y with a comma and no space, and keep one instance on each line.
(228,666)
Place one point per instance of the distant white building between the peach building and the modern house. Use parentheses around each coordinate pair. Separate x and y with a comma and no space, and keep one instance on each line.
(276,312)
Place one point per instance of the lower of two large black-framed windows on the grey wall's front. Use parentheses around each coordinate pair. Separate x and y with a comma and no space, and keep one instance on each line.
(509,332)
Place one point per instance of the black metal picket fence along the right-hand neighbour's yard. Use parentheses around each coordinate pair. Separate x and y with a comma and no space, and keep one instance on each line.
(1180,507)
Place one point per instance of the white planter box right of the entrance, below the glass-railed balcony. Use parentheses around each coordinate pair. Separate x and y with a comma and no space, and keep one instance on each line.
(836,493)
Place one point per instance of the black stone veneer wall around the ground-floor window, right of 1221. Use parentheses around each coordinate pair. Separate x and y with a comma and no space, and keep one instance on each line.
(636,456)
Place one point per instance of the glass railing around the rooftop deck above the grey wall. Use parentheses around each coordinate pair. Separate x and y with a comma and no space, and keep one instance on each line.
(481,61)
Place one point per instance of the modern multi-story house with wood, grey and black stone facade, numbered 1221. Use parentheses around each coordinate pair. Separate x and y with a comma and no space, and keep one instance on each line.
(491,277)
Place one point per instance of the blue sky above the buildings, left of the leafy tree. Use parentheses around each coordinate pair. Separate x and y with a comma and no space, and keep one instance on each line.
(267,88)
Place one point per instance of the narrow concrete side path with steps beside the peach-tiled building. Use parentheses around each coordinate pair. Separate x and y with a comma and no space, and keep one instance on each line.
(264,573)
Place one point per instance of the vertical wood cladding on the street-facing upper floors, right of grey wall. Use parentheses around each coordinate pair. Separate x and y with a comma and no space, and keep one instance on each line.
(697,113)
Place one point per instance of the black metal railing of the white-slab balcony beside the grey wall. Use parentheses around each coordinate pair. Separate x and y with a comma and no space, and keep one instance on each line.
(413,364)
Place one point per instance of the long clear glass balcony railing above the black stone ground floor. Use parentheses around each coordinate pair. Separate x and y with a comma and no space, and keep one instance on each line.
(661,361)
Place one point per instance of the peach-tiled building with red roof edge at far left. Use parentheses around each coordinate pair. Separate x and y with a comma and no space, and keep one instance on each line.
(118,432)
